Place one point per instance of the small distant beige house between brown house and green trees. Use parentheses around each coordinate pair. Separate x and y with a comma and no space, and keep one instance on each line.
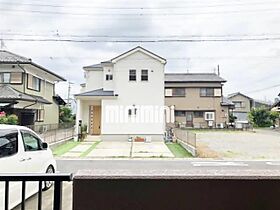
(243,105)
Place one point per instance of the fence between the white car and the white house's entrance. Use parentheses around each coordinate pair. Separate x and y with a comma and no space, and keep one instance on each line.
(52,133)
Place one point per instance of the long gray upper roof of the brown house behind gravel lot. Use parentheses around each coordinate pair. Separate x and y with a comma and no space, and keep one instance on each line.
(192,77)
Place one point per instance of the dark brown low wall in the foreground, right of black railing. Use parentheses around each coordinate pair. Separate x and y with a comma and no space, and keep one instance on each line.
(120,191)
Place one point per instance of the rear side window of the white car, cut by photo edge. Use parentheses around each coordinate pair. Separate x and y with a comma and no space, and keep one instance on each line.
(8,142)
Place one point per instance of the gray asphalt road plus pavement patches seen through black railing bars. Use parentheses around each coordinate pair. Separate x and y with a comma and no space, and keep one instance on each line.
(191,165)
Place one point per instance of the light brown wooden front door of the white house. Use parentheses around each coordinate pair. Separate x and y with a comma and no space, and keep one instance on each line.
(95,120)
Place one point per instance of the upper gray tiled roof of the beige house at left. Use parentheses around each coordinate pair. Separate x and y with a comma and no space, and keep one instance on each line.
(7,57)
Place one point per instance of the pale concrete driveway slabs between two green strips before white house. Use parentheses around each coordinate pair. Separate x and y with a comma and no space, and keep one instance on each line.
(107,149)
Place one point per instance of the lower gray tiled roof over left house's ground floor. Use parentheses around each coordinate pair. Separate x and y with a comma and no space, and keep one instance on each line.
(8,93)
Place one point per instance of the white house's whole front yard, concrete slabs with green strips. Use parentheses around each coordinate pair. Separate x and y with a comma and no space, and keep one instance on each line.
(124,149)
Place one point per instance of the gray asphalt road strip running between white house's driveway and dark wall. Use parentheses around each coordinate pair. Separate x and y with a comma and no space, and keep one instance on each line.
(72,166)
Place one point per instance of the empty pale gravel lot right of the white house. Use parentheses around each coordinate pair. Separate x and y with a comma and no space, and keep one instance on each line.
(258,145)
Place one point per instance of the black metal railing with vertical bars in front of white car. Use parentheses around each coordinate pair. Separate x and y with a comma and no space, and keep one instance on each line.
(23,178)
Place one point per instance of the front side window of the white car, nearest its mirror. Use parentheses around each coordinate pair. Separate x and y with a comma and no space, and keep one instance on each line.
(31,142)
